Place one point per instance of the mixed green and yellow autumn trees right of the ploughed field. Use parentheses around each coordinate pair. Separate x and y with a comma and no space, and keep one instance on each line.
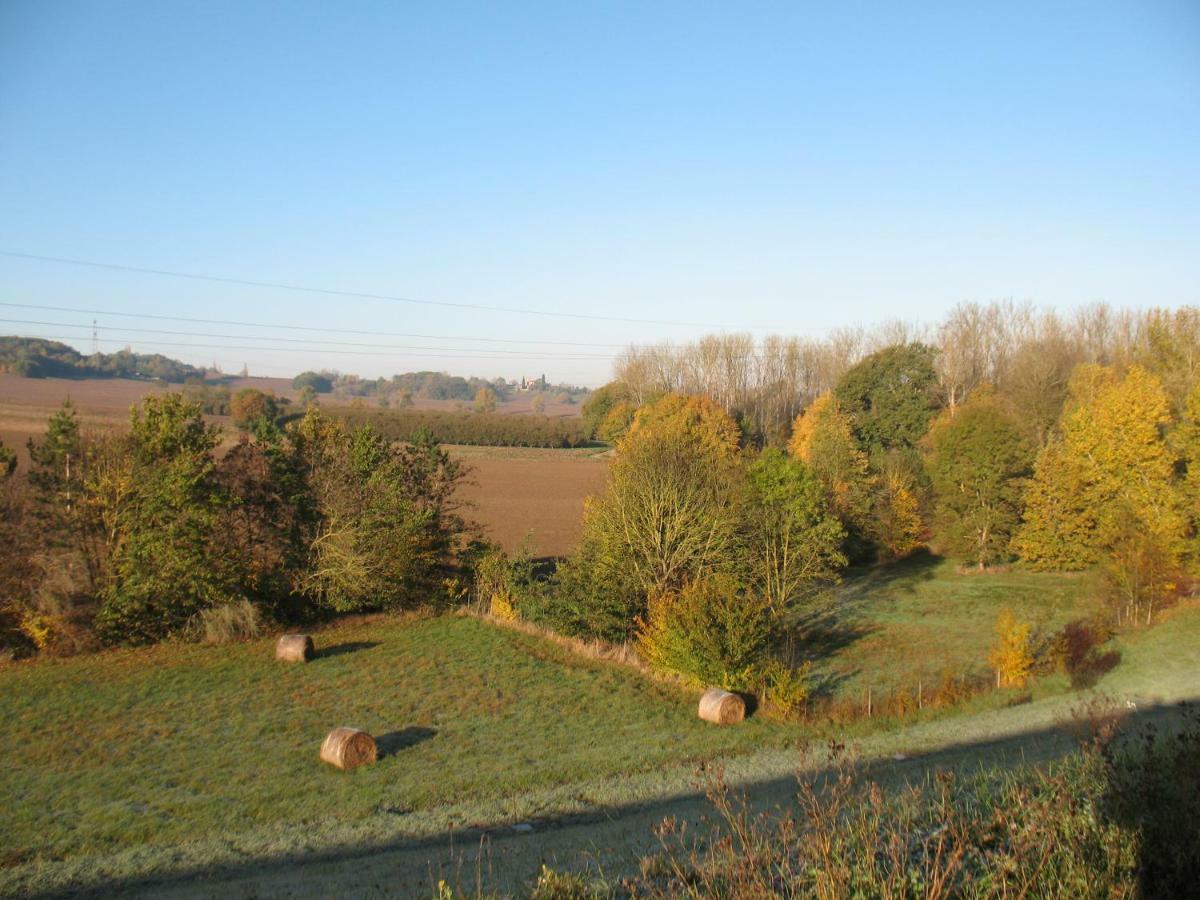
(713,541)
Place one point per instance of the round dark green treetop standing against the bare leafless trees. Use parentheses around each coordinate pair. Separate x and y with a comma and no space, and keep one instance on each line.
(891,398)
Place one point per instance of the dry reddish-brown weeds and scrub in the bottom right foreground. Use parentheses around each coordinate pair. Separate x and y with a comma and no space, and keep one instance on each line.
(1112,820)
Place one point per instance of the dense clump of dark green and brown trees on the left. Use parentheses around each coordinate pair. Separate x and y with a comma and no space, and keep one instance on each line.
(139,537)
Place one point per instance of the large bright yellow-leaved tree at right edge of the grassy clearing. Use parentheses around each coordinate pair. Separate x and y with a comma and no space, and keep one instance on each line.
(1112,461)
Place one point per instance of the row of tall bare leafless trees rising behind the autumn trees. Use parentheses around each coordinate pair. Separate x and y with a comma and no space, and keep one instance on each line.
(1024,353)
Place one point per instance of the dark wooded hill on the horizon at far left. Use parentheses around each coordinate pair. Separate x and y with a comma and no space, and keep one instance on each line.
(37,358)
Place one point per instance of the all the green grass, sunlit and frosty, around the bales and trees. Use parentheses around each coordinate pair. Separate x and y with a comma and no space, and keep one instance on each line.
(203,760)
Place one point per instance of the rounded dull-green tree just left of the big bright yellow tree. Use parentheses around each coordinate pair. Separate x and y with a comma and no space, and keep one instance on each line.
(979,464)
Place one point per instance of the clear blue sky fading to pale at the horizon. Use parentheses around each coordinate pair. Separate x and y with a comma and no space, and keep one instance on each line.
(787,169)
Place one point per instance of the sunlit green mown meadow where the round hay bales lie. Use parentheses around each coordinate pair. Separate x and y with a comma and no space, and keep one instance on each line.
(173,743)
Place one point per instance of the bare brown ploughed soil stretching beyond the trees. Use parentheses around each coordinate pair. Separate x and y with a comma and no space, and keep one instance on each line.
(514,493)
